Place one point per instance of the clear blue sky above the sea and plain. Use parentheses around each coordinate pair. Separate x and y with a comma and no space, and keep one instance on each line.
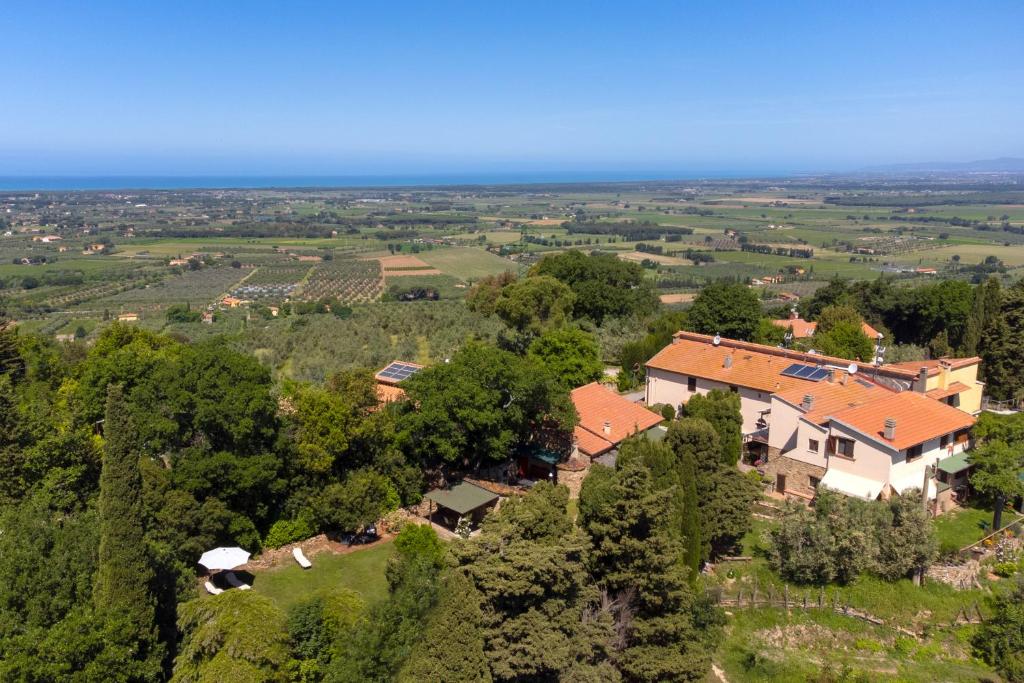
(395,88)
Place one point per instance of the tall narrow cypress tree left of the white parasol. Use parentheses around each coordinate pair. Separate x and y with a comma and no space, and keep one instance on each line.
(124,573)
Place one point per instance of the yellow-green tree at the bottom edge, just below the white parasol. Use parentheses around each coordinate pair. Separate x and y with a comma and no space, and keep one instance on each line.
(236,636)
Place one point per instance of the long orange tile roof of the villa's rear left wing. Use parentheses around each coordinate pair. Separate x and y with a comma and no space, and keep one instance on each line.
(694,355)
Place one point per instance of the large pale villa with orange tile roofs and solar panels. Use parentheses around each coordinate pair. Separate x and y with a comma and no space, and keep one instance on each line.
(812,420)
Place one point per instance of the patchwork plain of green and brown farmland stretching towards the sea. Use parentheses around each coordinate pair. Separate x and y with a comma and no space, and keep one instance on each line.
(274,247)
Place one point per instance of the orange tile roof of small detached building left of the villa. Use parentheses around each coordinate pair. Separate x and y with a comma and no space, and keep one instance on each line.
(598,406)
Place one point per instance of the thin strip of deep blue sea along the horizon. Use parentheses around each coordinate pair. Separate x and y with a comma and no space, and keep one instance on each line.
(115,183)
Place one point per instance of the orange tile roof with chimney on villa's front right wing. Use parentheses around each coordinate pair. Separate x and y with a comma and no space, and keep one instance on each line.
(918,419)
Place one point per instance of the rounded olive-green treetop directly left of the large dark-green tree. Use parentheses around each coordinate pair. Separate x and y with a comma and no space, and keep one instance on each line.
(534,306)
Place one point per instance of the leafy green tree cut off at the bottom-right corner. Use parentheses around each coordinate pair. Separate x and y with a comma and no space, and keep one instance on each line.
(1000,639)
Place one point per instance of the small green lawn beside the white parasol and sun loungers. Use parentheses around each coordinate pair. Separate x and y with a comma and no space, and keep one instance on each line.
(362,572)
